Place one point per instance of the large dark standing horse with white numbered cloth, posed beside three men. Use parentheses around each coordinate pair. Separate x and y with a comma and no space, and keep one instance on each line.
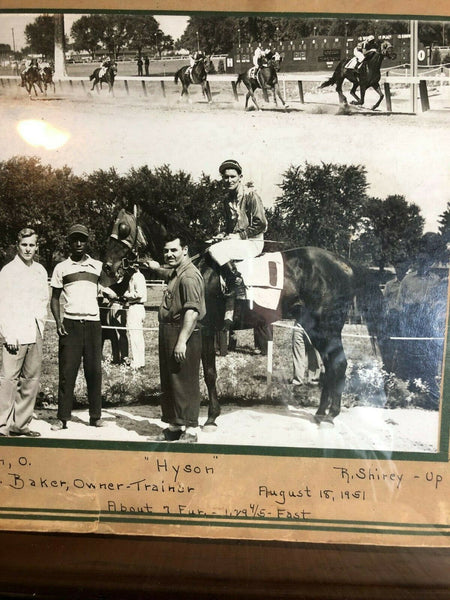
(318,291)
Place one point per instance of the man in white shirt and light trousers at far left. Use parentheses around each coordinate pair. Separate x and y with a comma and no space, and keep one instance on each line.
(23,308)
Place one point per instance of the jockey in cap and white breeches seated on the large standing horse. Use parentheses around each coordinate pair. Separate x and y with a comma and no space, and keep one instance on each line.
(245,224)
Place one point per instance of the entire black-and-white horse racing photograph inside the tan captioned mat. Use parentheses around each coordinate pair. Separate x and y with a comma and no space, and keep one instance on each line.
(224,230)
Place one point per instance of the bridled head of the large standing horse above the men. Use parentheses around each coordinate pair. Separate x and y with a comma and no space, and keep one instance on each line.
(122,243)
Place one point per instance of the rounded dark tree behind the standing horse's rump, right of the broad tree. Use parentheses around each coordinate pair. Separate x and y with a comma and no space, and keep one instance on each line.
(393,229)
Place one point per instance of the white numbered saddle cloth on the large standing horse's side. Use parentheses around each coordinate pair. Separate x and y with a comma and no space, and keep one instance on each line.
(263,278)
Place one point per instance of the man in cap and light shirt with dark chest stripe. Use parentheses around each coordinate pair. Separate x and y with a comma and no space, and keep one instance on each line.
(79,331)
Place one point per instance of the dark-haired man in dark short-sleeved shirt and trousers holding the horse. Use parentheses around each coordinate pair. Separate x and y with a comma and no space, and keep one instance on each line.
(182,307)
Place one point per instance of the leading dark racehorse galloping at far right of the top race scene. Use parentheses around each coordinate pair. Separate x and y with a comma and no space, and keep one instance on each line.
(368,76)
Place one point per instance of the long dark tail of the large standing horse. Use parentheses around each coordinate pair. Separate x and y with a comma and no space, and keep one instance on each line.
(370,302)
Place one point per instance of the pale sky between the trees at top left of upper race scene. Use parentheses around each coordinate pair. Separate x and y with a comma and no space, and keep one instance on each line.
(173,25)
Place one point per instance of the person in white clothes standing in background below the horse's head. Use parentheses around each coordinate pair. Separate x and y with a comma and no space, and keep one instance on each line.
(136,295)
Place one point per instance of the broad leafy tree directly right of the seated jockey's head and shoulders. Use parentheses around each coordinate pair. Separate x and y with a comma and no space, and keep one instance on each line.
(320,205)
